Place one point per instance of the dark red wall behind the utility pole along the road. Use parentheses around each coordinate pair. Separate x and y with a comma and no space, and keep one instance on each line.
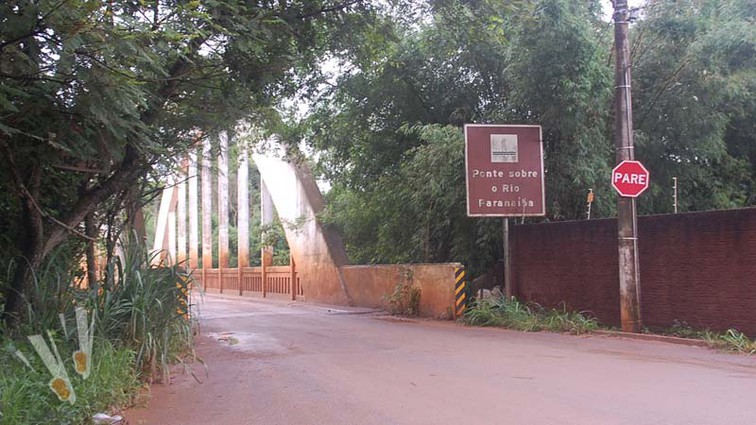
(697,267)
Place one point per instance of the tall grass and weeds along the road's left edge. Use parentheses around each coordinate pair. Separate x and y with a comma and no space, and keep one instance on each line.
(140,327)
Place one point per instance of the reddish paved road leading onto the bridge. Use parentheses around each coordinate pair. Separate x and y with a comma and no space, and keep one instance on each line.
(299,364)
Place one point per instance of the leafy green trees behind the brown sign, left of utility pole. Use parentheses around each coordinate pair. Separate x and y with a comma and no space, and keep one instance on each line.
(398,170)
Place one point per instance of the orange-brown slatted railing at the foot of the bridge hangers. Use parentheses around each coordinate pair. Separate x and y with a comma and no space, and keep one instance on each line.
(278,280)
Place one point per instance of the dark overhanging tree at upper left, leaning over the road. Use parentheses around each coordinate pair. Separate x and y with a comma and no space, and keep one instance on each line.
(94,95)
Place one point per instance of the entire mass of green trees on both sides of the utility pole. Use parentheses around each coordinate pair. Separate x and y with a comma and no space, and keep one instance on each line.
(385,136)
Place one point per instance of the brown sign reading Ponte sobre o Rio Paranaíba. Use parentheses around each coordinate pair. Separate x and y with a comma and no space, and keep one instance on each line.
(504,165)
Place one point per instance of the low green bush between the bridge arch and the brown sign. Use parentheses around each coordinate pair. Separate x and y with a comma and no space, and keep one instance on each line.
(417,213)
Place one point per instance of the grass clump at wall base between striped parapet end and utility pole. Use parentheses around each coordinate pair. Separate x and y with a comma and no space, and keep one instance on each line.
(510,313)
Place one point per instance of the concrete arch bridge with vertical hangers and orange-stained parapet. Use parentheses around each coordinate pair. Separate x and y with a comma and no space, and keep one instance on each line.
(318,268)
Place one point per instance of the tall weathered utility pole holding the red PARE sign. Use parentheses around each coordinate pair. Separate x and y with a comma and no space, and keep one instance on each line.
(627,222)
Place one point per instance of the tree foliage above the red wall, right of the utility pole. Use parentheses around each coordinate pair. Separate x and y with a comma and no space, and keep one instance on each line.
(695,75)
